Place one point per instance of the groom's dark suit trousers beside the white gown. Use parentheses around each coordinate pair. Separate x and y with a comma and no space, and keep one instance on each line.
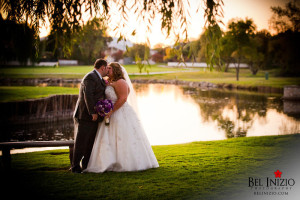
(84,143)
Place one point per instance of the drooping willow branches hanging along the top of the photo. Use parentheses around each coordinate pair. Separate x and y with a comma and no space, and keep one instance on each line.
(66,16)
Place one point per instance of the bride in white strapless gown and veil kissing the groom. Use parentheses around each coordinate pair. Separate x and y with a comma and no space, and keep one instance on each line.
(123,144)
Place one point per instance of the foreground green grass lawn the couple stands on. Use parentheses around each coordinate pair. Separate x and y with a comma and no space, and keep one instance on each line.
(198,170)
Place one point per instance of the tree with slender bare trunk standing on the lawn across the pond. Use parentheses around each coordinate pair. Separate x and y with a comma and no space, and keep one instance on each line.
(240,32)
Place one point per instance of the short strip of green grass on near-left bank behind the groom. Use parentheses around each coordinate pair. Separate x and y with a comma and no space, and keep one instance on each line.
(19,93)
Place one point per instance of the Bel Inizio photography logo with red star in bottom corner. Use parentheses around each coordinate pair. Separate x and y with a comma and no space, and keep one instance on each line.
(268,186)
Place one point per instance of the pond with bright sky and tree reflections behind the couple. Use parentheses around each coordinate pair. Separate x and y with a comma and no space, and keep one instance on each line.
(173,114)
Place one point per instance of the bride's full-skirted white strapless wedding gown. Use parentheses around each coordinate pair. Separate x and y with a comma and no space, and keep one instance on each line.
(123,144)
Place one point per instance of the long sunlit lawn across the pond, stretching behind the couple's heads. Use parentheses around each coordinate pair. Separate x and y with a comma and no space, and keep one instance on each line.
(77,72)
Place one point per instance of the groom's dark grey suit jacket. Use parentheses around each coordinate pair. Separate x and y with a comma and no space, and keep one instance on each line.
(92,89)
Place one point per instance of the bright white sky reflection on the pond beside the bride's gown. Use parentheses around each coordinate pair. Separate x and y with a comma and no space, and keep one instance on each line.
(171,116)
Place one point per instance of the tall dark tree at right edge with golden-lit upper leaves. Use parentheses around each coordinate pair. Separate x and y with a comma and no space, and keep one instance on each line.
(283,47)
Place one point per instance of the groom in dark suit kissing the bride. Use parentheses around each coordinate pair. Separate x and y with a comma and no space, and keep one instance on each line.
(92,89)
